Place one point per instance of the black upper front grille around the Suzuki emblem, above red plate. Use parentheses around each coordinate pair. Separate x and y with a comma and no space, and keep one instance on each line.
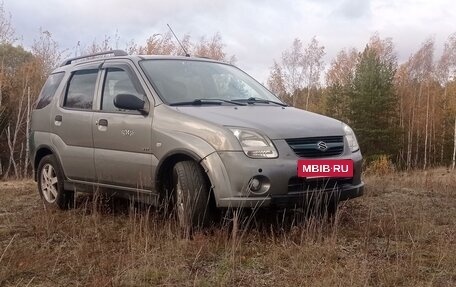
(308,147)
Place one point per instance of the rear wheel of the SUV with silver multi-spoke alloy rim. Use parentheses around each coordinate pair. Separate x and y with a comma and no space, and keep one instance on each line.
(51,184)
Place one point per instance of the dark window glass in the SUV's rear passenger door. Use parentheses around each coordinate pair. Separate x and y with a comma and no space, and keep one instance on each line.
(81,89)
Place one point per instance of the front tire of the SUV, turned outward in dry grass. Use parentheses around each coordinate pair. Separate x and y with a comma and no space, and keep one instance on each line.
(191,196)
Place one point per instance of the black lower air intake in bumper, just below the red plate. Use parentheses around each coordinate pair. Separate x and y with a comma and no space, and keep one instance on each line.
(298,184)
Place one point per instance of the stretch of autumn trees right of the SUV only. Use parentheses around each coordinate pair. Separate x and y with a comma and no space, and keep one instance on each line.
(405,112)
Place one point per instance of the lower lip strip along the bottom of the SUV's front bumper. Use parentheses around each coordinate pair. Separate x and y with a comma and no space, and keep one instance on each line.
(296,199)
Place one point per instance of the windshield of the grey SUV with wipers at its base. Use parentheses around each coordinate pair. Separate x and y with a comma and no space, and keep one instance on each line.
(179,81)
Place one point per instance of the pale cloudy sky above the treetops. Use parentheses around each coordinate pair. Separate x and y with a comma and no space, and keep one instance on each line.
(256,32)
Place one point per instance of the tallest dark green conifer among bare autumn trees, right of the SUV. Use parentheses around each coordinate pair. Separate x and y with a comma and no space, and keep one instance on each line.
(373,106)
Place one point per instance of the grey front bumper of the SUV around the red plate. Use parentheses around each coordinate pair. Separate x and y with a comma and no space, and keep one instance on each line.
(231,171)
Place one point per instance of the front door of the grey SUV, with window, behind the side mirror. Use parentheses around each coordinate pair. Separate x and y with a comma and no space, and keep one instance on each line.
(121,138)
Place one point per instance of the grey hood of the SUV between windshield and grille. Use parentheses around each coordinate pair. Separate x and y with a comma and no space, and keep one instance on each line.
(274,121)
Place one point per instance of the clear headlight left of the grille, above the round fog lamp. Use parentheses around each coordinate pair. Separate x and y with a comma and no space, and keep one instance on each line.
(253,144)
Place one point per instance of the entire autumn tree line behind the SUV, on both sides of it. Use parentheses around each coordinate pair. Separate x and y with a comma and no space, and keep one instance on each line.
(405,112)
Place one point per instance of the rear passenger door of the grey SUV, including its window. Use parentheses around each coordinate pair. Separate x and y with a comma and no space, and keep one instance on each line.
(71,124)
